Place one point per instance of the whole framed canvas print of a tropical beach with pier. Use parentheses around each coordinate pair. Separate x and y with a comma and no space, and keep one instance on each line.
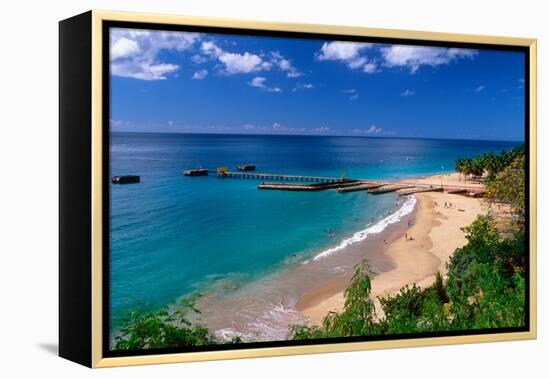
(236,189)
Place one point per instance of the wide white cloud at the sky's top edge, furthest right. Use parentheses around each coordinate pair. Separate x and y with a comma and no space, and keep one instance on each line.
(413,57)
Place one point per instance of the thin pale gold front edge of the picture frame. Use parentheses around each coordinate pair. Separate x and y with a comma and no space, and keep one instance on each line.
(99,16)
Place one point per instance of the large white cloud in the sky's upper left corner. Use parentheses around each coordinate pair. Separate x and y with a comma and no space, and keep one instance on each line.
(134,53)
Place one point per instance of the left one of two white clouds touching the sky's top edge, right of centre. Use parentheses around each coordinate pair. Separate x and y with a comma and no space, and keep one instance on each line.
(348,53)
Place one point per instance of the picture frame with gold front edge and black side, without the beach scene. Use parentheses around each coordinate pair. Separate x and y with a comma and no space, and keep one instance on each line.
(86,180)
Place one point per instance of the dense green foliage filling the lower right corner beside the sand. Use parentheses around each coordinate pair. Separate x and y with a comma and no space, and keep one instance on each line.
(485,289)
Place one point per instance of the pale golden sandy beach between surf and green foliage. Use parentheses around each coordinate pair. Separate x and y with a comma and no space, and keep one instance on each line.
(436,233)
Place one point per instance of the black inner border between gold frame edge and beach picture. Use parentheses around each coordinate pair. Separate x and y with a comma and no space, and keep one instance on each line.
(107,25)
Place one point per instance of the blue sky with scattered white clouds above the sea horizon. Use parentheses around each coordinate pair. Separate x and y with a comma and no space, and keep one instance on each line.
(213,83)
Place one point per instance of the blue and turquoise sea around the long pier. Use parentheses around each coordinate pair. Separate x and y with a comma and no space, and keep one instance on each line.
(172,235)
